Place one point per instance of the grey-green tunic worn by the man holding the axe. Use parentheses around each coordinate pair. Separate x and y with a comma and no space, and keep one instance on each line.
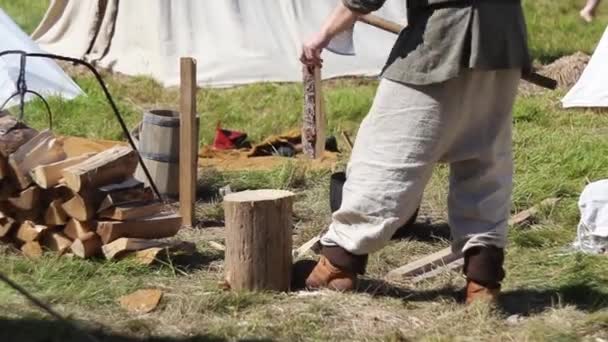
(445,36)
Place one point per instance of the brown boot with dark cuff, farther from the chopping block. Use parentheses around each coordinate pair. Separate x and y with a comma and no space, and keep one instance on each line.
(484,272)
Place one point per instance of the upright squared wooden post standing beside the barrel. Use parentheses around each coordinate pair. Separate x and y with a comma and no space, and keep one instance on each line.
(188,142)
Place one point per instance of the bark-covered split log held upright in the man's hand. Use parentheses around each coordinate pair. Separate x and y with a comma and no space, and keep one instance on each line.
(313,127)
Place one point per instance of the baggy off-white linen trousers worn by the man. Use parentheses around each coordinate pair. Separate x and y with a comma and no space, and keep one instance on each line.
(466,122)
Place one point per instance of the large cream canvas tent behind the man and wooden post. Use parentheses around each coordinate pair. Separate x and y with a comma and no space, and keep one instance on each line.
(234,41)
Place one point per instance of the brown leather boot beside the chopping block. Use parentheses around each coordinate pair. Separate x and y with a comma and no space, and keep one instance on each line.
(326,275)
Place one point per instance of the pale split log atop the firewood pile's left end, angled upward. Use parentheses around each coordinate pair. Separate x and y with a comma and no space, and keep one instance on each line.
(42,149)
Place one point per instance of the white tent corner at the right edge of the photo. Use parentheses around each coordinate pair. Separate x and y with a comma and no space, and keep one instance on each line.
(591,90)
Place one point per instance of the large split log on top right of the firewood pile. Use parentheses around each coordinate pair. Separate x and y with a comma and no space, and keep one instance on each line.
(110,166)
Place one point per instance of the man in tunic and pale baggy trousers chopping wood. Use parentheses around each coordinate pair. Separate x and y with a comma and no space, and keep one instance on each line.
(446,96)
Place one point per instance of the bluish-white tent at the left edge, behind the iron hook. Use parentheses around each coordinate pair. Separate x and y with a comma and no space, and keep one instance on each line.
(42,75)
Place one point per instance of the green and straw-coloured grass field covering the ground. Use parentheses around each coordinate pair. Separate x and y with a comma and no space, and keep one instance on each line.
(550,293)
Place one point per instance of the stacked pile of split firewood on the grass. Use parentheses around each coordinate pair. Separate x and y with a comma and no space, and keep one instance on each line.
(85,205)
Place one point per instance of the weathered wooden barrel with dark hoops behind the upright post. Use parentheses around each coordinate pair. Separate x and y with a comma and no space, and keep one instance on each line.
(159,148)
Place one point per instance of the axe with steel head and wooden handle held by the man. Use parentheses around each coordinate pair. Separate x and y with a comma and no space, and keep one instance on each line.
(343,44)
